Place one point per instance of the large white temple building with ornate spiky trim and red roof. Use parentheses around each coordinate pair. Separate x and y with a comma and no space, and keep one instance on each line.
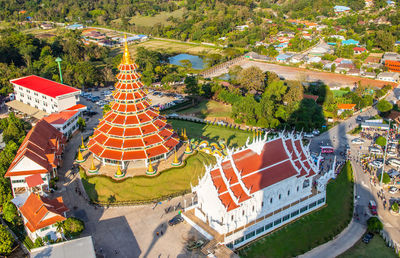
(257,189)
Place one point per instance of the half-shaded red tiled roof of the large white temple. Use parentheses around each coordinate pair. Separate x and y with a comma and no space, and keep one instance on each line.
(258,171)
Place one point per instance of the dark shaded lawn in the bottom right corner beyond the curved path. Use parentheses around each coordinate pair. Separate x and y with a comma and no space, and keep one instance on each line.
(375,248)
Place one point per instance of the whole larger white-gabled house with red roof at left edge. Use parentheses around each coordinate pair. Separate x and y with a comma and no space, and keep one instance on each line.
(39,154)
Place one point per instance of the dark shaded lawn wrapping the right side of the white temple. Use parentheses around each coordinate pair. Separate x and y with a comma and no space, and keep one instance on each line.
(311,230)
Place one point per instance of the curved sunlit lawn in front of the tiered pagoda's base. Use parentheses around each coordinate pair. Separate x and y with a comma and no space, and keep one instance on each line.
(143,188)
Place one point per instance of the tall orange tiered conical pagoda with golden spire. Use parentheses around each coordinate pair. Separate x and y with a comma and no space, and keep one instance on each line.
(132,133)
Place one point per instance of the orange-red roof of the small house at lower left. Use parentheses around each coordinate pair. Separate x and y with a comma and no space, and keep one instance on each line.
(36,208)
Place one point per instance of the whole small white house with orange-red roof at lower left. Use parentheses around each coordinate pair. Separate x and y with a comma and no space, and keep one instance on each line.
(40,216)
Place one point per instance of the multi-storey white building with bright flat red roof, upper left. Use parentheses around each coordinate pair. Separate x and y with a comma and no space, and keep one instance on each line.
(44,94)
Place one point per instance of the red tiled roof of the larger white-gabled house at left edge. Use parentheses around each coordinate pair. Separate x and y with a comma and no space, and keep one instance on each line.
(43,139)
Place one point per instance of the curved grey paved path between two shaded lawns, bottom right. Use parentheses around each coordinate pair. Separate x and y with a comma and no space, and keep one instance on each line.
(340,243)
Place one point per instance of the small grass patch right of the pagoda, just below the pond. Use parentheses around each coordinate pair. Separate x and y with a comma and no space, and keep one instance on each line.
(208,109)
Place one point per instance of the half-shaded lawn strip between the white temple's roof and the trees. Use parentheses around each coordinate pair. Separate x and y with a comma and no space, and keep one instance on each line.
(232,137)
